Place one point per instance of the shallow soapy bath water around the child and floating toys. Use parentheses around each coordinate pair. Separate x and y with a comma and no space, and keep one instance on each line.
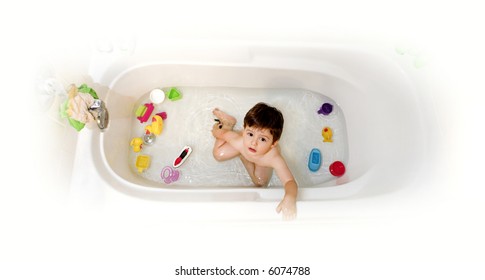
(189,123)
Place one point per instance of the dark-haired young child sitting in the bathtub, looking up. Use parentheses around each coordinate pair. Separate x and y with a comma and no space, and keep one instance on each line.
(257,147)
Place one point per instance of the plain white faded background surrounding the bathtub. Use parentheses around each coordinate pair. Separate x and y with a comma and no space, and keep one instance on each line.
(41,238)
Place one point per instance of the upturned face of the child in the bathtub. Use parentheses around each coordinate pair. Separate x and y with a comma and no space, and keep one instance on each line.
(257,141)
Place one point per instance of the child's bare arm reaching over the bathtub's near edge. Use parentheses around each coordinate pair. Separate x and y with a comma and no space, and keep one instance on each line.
(288,203)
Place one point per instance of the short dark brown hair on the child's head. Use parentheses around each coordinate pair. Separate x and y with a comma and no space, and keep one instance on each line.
(263,116)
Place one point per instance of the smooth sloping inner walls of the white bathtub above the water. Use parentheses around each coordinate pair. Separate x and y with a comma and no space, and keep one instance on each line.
(384,124)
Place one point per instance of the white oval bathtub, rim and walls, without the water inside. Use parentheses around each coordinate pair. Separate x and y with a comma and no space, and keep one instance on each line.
(391,130)
